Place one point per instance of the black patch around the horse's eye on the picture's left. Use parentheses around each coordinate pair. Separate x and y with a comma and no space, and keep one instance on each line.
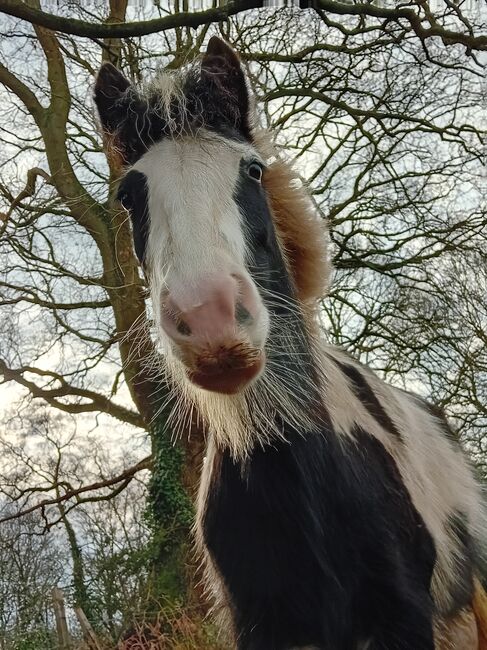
(133,195)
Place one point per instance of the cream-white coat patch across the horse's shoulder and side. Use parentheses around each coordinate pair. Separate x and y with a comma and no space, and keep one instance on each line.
(435,472)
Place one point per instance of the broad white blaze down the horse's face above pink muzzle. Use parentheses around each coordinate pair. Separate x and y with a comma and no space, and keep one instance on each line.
(195,226)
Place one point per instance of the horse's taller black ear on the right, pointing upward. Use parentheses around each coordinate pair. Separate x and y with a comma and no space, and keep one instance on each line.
(221,68)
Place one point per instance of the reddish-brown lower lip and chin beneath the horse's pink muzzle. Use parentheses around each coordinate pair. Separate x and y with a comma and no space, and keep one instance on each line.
(227,381)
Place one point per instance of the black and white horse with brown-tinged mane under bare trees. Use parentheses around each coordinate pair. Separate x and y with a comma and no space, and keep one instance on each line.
(335,512)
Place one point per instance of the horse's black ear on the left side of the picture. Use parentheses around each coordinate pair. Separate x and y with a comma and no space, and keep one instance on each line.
(111,97)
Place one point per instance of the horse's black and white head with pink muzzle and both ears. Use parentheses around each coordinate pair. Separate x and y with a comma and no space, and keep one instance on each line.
(202,221)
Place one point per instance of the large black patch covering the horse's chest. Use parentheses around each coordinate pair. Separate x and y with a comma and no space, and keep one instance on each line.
(318,543)
